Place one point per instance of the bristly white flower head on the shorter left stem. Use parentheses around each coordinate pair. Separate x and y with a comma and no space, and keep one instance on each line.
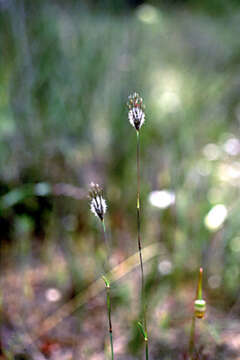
(97,203)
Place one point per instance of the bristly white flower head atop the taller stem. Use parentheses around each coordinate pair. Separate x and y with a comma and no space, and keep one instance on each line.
(136,115)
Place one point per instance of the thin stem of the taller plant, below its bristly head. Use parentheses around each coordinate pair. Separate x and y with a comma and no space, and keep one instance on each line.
(143,300)
